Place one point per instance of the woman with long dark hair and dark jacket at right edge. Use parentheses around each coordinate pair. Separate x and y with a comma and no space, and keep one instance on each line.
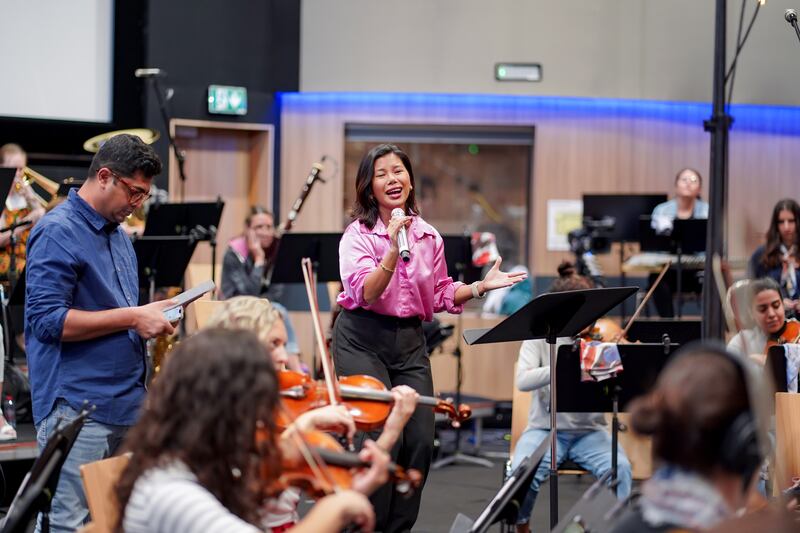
(779,257)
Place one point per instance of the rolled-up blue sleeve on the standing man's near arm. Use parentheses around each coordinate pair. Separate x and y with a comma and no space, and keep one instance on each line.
(50,277)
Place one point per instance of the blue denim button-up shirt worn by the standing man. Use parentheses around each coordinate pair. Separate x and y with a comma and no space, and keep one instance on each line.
(77,260)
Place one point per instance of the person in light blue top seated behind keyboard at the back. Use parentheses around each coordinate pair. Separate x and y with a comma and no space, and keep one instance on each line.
(686,204)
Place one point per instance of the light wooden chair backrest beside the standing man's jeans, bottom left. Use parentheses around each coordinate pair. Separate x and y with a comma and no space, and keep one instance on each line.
(99,479)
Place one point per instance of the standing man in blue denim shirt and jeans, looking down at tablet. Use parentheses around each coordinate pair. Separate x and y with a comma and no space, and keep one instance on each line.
(84,330)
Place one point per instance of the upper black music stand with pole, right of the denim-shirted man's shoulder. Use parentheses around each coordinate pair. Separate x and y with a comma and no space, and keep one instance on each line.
(198,220)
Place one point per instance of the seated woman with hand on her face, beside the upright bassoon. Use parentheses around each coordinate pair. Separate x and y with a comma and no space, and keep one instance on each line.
(245,266)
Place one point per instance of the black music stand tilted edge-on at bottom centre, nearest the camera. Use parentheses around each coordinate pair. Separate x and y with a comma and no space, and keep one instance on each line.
(507,502)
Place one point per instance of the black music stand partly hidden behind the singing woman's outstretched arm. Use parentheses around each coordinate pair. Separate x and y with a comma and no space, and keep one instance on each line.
(458,257)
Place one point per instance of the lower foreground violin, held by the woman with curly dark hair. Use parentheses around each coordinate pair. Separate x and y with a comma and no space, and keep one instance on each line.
(324,467)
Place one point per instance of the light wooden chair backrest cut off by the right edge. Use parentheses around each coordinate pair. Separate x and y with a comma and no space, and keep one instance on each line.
(787,440)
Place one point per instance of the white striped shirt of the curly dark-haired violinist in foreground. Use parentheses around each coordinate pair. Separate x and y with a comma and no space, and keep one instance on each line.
(168,499)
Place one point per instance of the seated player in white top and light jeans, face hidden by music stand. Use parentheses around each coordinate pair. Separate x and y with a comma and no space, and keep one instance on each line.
(582,437)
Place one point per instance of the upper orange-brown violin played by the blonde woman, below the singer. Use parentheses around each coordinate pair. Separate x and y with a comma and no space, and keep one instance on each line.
(366,397)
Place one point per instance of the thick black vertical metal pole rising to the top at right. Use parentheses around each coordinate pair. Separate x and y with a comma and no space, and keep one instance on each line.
(718,126)
